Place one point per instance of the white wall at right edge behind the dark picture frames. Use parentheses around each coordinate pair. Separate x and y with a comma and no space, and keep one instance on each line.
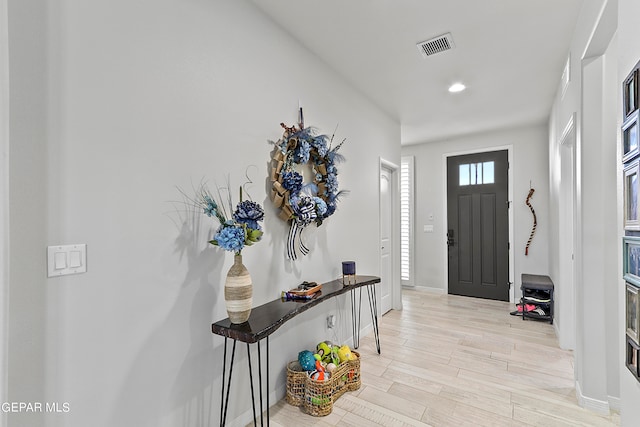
(628,56)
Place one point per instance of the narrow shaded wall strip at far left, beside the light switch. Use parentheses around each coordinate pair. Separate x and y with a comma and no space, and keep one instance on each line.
(27,207)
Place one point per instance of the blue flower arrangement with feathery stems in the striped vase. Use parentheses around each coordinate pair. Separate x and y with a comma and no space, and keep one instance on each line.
(238,228)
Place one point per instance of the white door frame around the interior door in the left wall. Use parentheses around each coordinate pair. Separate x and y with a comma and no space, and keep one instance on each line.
(394,169)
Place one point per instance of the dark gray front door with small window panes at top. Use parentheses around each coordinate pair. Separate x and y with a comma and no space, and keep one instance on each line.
(478,225)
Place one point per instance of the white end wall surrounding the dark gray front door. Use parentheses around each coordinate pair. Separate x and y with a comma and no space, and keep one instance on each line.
(529,167)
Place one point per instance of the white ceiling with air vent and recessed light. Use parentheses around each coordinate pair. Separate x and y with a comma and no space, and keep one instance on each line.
(509,53)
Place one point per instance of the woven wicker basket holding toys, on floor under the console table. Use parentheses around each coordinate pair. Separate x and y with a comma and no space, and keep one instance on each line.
(317,397)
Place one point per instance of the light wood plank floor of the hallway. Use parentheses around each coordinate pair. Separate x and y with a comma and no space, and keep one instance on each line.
(457,361)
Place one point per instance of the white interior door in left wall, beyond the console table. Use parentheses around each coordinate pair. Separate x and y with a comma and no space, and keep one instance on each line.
(386,239)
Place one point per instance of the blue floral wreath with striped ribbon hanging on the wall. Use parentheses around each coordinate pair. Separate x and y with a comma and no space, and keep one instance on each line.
(299,202)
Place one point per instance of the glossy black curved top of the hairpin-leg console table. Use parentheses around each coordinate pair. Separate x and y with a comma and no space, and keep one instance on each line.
(265,319)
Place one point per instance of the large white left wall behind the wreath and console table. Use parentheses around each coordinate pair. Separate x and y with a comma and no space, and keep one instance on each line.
(143,97)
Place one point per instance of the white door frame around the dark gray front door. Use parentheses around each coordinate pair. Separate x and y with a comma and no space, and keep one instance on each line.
(444,249)
